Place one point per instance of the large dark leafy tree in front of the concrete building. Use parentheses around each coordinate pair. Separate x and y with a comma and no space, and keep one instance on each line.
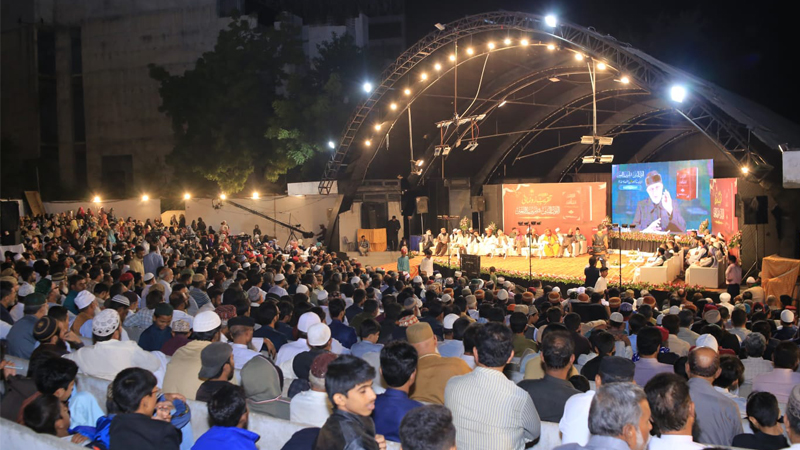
(252,108)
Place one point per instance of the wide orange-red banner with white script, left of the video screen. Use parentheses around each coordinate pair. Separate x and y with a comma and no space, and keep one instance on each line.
(562,205)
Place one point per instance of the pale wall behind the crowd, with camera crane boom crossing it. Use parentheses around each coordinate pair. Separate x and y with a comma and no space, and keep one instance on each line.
(309,211)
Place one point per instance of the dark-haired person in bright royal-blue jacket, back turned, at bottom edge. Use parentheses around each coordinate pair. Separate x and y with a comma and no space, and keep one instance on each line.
(227,413)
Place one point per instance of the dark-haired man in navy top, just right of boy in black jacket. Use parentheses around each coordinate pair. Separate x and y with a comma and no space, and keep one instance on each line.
(399,369)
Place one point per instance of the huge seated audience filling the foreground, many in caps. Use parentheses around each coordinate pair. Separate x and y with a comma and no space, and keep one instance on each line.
(168,313)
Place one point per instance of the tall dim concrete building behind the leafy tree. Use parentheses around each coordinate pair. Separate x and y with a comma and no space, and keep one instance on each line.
(79,109)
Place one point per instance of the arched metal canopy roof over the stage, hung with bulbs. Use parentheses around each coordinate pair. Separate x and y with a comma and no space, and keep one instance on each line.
(707,109)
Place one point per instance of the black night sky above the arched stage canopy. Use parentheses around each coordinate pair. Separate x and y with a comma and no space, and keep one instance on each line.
(746,47)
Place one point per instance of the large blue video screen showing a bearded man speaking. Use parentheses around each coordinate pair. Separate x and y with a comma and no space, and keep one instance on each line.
(662,197)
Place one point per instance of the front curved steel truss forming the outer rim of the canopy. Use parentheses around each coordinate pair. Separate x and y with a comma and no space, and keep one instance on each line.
(715,124)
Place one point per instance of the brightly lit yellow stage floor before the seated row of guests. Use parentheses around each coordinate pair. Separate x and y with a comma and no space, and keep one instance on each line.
(563,269)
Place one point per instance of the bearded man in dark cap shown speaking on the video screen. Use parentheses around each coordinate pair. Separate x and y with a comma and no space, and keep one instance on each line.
(658,213)
